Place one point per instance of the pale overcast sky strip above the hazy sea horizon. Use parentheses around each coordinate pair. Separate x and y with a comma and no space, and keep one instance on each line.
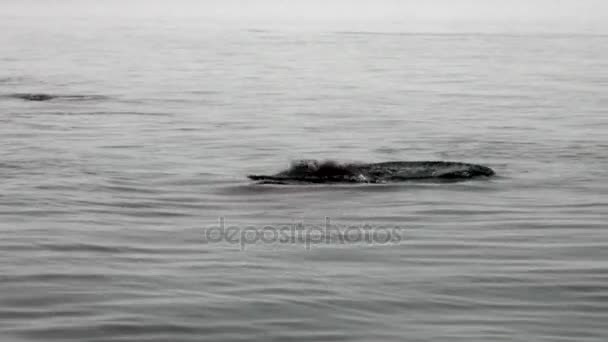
(575,16)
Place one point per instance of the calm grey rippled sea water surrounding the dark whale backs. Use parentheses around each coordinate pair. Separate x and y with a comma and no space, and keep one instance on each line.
(105,197)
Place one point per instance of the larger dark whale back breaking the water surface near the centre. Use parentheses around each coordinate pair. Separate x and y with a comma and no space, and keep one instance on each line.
(313,171)
